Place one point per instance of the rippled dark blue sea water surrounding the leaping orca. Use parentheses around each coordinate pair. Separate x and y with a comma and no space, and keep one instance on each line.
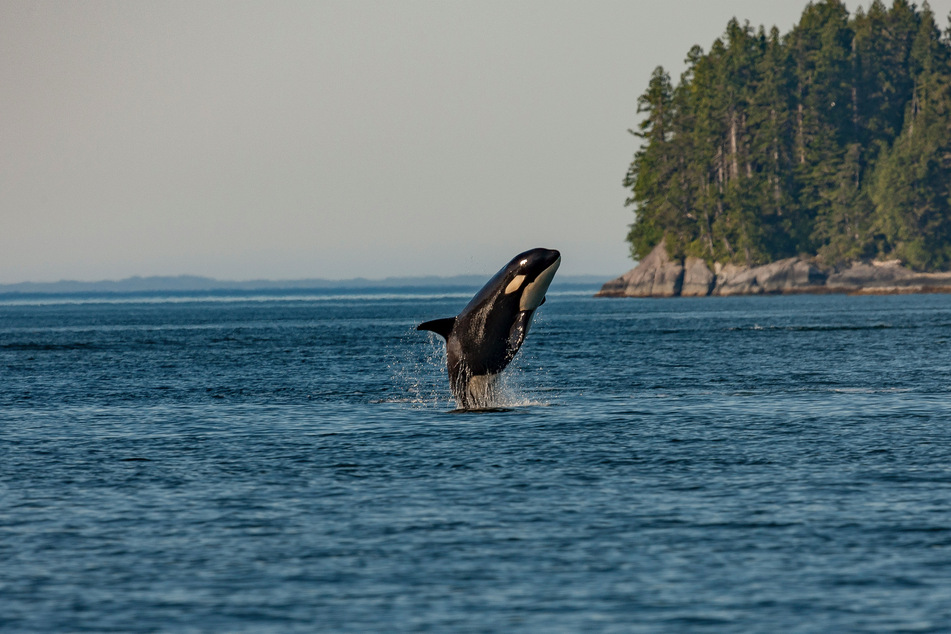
(282,464)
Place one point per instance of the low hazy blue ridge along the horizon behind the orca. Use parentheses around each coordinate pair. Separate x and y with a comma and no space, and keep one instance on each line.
(199,284)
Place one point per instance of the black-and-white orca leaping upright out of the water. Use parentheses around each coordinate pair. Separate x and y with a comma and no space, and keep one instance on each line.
(488,333)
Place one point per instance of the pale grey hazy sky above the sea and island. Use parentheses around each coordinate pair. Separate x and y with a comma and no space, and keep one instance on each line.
(323,139)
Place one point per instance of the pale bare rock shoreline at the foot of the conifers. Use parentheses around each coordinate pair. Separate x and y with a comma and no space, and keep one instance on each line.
(658,275)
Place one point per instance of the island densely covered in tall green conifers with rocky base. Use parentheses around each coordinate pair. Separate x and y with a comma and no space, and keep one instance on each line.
(827,148)
